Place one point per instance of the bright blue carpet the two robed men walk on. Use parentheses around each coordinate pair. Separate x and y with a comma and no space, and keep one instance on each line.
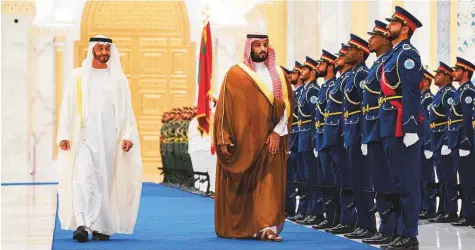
(173,219)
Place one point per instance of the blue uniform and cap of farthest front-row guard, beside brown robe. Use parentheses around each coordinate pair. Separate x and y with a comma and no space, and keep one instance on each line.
(295,159)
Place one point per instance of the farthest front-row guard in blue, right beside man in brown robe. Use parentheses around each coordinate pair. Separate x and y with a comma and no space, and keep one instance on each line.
(296,157)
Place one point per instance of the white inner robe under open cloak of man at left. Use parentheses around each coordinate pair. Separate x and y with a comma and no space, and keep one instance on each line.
(93,172)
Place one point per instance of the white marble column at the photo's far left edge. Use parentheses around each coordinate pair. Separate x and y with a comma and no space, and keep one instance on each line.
(17,19)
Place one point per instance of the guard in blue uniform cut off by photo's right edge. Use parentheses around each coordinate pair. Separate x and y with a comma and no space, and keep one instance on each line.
(461,138)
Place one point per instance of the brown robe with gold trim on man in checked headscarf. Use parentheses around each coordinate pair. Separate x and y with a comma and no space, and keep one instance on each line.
(250,184)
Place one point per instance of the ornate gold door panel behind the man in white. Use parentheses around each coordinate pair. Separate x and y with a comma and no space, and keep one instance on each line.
(157,57)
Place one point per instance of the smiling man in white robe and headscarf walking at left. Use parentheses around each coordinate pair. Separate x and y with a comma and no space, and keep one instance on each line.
(100,161)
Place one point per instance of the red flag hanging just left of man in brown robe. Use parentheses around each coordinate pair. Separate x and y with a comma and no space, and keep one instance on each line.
(204,80)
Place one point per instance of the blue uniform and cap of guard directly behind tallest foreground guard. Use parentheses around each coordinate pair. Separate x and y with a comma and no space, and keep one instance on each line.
(382,177)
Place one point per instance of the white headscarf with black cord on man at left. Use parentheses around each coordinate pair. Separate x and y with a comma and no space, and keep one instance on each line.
(113,64)
